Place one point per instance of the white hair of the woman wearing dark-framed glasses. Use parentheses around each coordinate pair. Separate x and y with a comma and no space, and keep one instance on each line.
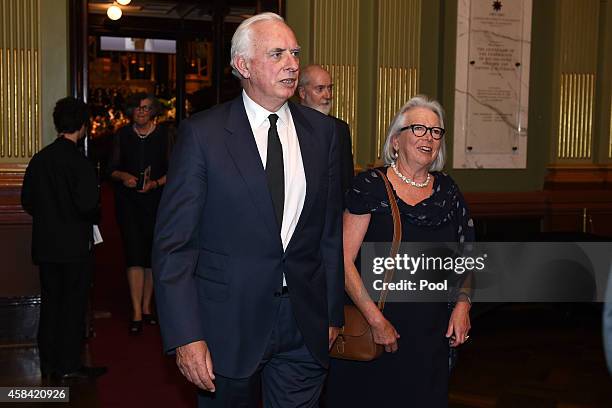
(419,101)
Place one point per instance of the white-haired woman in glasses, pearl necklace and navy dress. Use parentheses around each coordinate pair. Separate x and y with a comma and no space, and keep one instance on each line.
(414,370)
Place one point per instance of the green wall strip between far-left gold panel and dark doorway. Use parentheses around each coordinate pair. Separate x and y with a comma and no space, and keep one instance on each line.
(55,61)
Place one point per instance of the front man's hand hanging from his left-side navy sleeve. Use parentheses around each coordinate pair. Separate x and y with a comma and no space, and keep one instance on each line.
(195,363)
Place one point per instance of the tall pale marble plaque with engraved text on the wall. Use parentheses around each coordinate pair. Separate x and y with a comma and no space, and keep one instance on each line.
(492,83)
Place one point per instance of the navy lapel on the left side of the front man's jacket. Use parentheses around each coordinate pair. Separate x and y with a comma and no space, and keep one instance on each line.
(243,150)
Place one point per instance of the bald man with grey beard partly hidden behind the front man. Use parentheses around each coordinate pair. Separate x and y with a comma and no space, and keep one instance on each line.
(315,90)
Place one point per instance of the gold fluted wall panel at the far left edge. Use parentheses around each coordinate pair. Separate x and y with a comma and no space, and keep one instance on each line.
(20,121)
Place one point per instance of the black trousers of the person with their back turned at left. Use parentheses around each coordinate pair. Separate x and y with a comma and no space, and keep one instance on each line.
(64,291)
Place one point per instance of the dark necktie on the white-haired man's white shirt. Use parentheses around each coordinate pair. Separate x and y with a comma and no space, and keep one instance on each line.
(275,173)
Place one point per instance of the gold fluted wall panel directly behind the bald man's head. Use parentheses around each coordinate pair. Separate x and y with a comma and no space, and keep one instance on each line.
(335,33)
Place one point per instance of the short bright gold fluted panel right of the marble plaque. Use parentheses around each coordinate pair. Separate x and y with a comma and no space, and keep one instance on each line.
(576,116)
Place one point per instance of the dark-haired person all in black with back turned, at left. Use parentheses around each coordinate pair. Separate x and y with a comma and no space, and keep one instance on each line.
(60,192)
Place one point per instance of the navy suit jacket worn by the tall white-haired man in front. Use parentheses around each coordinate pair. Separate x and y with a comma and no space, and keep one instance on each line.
(218,259)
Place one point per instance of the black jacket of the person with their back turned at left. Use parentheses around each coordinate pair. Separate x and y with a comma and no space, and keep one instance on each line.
(60,191)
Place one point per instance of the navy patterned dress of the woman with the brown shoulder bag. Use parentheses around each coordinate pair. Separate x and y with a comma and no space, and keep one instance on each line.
(417,374)
